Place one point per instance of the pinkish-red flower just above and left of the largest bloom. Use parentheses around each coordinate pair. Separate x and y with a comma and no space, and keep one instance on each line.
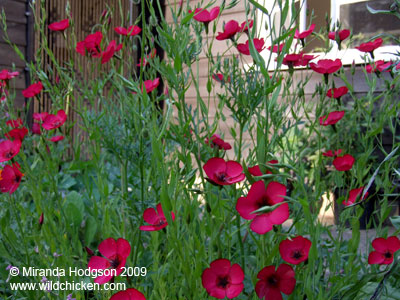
(223,172)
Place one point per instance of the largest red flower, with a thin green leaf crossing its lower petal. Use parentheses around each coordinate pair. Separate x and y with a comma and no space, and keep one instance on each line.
(259,197)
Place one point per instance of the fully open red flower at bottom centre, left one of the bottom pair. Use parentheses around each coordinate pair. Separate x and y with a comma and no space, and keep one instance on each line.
(222,279)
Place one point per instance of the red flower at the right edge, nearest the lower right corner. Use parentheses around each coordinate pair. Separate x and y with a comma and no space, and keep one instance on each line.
(384,250)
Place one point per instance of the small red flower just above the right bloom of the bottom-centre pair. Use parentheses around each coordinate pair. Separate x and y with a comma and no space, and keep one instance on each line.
(296,250)
